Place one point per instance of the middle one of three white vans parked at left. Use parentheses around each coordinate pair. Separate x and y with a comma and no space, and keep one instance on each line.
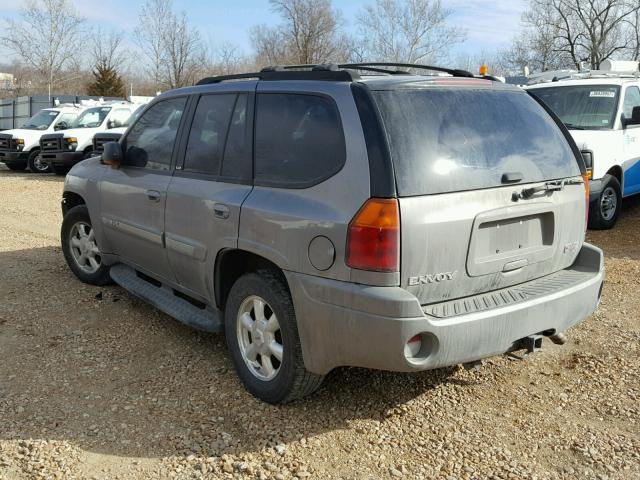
(63,150)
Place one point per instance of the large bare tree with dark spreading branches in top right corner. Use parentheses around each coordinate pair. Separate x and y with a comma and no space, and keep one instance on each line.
(569,33)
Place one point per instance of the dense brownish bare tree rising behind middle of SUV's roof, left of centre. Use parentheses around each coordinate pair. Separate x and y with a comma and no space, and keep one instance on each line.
(310,34)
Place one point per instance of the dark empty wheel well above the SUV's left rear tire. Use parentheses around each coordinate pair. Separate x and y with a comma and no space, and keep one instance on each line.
(231,265)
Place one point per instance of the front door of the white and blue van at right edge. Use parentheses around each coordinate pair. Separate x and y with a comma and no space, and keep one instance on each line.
(631,148)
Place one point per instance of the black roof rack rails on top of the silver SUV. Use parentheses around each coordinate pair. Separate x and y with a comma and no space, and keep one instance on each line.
(334,72)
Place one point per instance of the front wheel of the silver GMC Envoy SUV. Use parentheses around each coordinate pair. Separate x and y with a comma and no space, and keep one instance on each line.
(79,246)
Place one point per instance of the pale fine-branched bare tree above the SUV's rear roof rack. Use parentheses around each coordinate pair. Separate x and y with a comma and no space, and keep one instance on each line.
(410,31)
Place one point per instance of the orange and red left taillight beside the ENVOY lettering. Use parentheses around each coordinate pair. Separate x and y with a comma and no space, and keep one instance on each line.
(373,239)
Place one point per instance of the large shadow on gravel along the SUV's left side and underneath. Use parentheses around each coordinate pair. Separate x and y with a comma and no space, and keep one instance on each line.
(98,368)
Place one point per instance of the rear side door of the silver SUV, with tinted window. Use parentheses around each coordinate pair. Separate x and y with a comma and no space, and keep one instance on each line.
(211,182)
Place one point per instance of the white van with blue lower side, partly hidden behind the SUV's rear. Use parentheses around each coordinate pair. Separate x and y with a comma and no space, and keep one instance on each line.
(601,109)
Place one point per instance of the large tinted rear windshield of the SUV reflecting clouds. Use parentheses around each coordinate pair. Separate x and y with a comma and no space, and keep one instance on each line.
(447,140)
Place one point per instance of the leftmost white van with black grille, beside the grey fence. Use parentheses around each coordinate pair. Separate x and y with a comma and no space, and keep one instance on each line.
(20,147)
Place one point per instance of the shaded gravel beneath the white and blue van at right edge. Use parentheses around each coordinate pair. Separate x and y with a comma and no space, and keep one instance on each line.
(623,240)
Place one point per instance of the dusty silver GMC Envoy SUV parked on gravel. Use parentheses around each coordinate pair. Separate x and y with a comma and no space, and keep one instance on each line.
(323,218)
